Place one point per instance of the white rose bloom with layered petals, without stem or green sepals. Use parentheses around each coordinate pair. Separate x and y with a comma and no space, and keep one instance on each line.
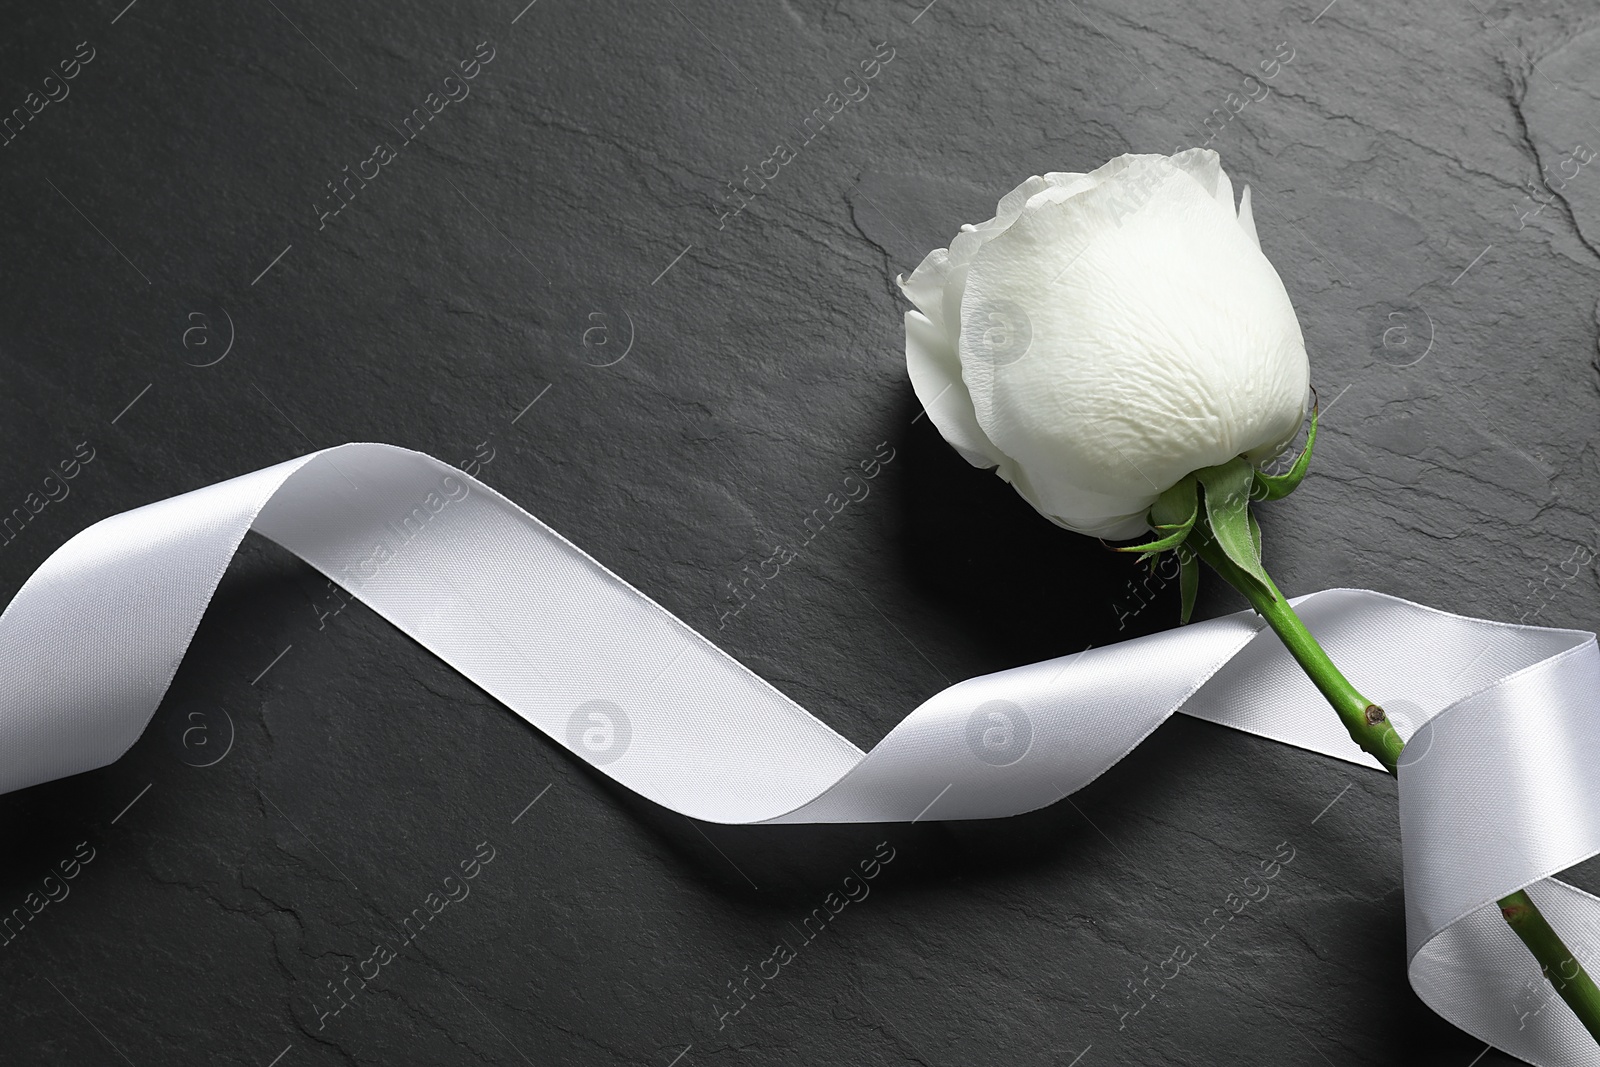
(1106,335)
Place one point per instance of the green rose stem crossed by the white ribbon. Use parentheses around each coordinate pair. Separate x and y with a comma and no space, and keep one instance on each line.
(1372,730)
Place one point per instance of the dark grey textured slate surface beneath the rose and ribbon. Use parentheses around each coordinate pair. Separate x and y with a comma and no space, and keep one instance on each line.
(570,209)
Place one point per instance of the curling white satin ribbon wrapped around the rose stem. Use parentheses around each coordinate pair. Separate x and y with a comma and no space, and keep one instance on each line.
(1498,789)
